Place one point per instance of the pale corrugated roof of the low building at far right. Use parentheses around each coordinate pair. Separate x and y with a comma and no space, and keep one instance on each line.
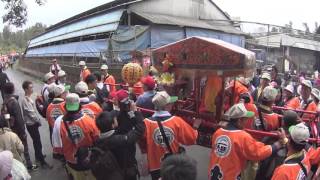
(285,40)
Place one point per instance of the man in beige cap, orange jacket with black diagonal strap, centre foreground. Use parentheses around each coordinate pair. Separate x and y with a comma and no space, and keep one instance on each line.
(165,132)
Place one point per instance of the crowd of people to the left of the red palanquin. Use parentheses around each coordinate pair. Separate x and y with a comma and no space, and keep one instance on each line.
(94,127)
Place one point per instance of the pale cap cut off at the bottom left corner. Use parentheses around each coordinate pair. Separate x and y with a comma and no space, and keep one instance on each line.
(6,163)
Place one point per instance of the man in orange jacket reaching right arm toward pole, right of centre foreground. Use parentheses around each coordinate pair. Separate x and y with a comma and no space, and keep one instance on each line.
(232,147)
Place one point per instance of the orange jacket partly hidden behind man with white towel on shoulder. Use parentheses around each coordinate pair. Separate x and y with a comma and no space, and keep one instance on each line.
(54,110)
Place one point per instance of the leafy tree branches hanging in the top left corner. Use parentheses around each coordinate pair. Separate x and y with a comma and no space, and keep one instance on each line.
(16,12)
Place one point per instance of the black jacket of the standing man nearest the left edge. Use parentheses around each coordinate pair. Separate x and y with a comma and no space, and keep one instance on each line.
(14,110)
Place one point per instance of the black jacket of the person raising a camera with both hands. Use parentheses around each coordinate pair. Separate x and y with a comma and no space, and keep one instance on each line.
(123,145)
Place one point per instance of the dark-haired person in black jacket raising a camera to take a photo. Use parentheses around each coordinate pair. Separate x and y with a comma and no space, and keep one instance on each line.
(121,145)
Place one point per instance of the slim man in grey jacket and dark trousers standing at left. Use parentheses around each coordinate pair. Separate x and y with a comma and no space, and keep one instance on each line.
(32,120)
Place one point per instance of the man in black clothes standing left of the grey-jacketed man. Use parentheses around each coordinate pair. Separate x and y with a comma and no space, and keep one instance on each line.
(17,124)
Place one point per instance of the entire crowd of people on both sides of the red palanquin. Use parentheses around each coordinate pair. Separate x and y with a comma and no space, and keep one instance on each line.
(94,128)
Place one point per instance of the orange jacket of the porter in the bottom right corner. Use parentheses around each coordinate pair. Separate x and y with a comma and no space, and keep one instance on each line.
(292,170)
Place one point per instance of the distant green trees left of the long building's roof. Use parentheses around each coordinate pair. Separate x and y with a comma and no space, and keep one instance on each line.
(18,41)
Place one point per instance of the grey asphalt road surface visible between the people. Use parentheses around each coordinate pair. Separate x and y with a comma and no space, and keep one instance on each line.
(200,154)
